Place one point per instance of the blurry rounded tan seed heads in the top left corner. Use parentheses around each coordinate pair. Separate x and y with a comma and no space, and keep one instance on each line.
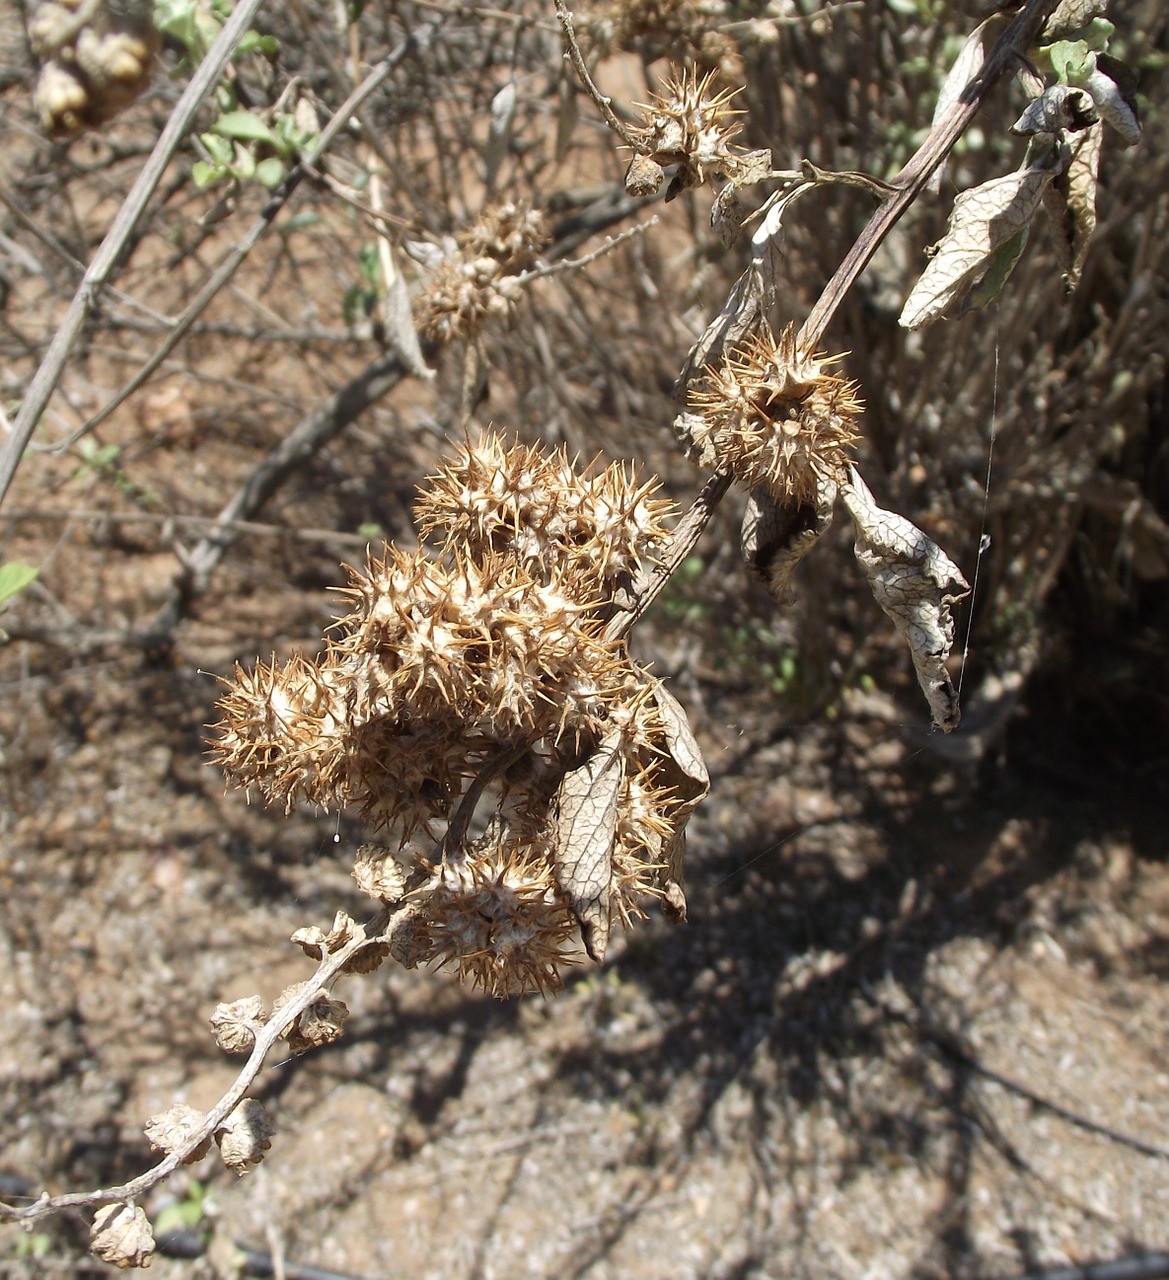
(97,60)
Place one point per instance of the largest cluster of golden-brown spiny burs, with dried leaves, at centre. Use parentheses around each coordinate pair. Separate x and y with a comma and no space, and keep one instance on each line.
(483,656)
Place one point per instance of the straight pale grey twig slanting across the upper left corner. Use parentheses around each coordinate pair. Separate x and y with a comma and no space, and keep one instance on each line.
(107,258)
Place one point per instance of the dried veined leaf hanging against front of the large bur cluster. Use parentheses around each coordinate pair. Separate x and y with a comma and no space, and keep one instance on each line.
(586,829)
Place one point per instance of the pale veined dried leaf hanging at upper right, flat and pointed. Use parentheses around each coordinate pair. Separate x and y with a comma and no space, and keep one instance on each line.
(983,221)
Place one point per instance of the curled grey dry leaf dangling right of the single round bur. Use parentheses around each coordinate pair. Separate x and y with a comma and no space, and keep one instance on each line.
(915,583)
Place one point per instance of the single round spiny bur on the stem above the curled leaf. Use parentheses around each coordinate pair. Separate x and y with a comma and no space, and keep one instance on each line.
(775,417)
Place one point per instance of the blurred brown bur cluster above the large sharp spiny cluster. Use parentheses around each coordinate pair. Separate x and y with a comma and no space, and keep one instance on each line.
(474,282)
